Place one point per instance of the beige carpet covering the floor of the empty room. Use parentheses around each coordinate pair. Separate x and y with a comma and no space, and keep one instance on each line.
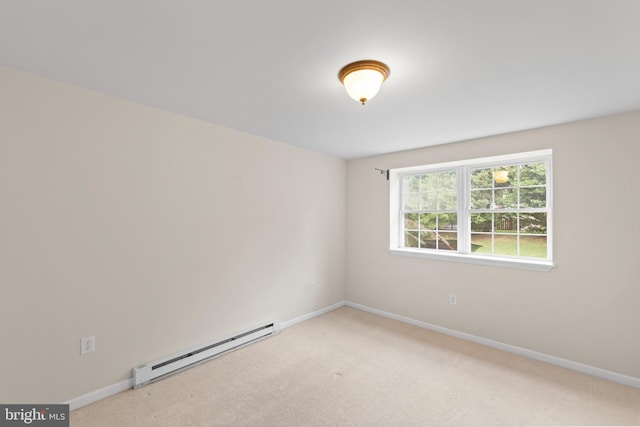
(351,368)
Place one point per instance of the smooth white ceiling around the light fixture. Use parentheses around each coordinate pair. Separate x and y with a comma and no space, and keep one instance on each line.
(459,68)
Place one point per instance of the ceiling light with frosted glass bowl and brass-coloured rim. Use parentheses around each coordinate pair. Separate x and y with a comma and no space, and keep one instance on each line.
(363,79)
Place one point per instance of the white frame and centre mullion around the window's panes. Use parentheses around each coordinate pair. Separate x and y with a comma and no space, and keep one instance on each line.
(463,253)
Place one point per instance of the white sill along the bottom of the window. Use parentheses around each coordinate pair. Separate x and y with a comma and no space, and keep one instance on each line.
(523,264)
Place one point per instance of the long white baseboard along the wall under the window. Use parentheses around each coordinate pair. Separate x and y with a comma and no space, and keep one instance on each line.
(553,360)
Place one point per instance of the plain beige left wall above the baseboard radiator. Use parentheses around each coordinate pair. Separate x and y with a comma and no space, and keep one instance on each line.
(149,230)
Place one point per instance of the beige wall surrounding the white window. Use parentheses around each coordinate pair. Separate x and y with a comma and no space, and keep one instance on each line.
(585,310)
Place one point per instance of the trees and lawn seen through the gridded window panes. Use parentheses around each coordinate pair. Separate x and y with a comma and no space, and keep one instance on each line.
(505,214)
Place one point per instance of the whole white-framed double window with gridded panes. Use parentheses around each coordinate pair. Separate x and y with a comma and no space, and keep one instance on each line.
(493,210)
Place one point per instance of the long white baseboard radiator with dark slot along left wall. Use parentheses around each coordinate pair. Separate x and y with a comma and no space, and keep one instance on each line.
(162,367)
